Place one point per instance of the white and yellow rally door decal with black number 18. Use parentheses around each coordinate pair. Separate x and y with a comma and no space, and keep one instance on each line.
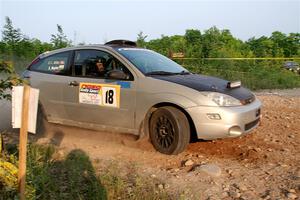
(99,94)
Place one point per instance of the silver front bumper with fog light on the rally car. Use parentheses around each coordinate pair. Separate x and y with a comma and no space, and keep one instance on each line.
(234,122)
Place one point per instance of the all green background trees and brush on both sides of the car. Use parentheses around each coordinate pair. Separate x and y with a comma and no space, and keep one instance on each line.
(212,43)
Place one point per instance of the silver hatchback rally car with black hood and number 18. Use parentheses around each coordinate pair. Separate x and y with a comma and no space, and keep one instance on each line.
(121,88)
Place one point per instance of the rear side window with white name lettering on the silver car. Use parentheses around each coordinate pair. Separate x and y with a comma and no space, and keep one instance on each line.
(54,64)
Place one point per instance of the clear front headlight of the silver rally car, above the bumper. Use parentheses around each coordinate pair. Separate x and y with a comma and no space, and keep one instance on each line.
(222,99)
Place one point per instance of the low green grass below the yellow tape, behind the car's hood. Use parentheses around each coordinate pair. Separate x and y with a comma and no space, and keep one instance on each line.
(254,75)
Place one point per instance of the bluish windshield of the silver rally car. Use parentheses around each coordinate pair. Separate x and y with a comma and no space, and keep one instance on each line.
(150,62)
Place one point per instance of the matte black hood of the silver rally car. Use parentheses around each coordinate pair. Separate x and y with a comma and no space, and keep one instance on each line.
(208,83)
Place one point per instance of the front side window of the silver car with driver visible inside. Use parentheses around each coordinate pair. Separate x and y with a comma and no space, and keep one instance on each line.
(96,64)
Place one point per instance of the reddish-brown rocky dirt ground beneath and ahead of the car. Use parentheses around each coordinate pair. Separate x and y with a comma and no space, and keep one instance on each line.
(264,164)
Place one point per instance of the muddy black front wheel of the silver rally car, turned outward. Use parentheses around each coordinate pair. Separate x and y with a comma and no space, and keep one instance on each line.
(169,130)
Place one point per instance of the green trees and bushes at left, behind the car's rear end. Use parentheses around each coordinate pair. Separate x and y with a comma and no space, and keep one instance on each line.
(16,52)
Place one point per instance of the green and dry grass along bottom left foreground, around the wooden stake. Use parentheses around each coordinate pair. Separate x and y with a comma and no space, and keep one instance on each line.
(74,177)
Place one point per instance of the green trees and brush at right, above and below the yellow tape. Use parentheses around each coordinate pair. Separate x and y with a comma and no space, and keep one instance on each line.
(214,43)
